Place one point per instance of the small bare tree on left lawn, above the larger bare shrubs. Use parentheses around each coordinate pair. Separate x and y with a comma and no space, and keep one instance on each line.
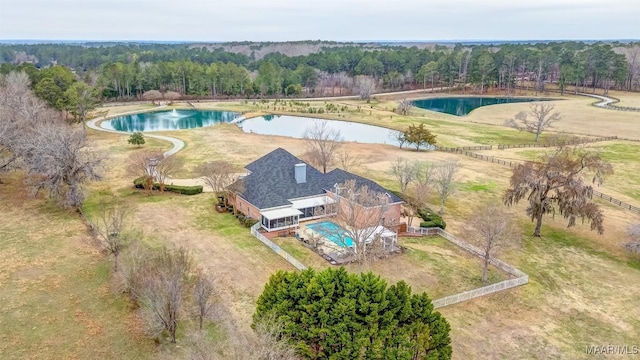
(110,224)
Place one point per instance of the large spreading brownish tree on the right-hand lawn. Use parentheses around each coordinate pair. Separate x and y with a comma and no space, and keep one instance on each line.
(557,180)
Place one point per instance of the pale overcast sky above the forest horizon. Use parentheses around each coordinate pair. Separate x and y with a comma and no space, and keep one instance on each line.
(340,20)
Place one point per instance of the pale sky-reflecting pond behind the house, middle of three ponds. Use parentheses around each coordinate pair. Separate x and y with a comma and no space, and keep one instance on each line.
(295,126)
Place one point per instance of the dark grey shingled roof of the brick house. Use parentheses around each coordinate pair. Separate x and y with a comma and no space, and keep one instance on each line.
(272,182)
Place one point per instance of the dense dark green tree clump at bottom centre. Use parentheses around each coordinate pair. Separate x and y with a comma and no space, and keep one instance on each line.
(332,314)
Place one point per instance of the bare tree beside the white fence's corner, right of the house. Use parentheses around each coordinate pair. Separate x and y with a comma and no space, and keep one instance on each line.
(492,230)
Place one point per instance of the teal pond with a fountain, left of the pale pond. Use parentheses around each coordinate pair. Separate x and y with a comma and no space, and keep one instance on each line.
(168,120)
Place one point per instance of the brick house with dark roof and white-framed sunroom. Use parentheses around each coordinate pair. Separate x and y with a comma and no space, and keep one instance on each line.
(281,190)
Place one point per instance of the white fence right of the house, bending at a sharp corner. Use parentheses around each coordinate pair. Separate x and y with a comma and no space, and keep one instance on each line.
(521,278)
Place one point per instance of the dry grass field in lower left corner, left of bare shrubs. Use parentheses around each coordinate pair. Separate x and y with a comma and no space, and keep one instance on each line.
(52,285)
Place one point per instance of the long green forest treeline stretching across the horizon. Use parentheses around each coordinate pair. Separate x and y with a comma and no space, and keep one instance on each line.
(127,71)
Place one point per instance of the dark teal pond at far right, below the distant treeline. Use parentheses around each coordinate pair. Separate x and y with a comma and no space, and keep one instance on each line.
(462,106)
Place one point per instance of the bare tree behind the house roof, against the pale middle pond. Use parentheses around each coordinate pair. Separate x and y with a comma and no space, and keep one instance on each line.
(322,143)
